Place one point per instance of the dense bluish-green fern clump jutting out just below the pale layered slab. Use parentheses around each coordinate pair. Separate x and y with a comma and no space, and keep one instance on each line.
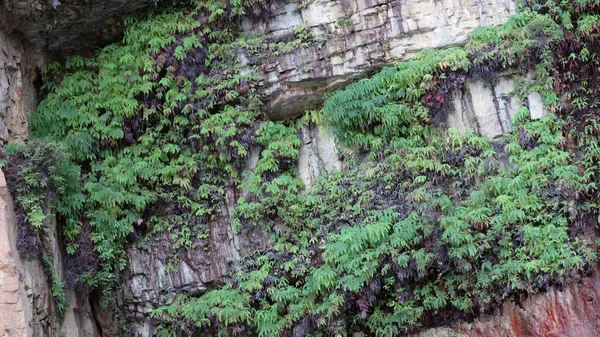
(372,111)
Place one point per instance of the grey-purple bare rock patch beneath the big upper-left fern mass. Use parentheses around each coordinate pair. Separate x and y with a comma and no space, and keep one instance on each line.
(159,271)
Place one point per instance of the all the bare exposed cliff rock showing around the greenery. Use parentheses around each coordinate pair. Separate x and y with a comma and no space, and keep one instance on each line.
(355,38)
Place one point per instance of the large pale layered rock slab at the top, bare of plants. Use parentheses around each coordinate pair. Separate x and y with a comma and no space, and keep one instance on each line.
(358,37)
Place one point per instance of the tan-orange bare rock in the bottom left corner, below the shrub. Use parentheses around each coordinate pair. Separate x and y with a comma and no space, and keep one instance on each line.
(27,308)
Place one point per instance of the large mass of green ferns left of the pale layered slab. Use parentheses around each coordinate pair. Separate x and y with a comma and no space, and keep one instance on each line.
(152,130)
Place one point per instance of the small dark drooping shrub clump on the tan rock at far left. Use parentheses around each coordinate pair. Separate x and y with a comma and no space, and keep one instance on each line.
(44,182)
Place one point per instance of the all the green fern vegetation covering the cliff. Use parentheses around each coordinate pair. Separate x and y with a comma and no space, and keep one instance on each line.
(431,227)
